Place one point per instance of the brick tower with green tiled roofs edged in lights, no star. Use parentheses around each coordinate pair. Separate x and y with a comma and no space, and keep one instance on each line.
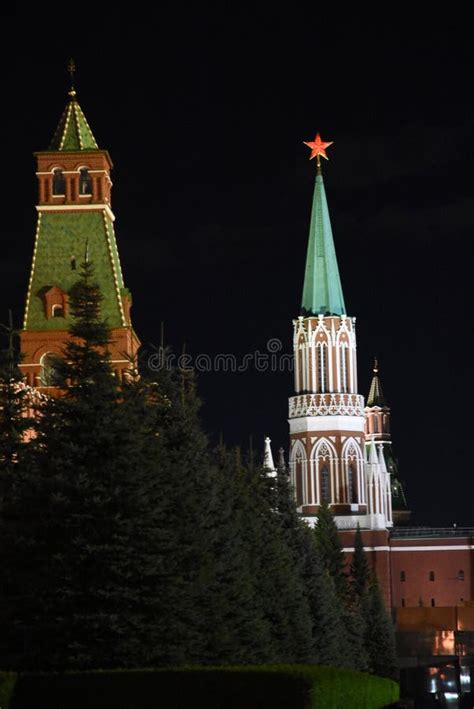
(74,215)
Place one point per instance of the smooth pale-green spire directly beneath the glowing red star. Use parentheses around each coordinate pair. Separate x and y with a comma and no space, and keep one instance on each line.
(322,291)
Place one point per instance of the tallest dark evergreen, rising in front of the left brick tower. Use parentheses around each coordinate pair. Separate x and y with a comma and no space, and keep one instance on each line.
(78,534)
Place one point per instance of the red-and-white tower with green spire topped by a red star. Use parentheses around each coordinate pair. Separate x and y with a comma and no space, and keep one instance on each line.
(328,458)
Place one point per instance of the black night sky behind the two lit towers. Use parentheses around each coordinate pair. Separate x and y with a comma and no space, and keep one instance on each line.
(204,111)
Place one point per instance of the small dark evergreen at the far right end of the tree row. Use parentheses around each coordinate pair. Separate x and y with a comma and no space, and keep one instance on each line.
(380,637)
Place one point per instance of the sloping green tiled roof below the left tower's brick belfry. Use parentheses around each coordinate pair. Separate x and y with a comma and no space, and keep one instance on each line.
(61,236)
